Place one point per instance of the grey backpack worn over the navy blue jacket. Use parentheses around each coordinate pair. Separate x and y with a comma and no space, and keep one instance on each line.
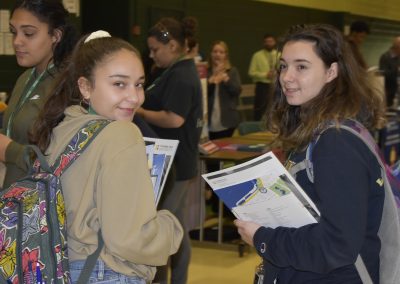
(389,230)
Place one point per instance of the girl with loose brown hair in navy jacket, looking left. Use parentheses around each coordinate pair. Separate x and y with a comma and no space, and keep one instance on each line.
(320,82)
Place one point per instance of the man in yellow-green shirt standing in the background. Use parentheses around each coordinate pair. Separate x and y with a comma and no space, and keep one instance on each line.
(262,71)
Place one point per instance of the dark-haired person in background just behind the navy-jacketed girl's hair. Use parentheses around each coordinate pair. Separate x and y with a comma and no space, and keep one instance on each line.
(358,32)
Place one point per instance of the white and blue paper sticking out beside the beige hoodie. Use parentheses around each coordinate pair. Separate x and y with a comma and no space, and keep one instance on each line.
(160,154)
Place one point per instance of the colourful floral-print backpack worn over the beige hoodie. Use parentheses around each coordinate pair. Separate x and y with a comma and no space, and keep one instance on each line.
(33,236)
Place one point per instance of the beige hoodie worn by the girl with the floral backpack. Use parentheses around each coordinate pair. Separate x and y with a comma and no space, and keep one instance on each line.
(109,188)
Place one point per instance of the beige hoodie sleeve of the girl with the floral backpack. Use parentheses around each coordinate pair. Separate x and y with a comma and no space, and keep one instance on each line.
(131,227)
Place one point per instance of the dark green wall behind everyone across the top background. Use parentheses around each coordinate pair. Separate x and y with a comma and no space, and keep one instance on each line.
(241,23)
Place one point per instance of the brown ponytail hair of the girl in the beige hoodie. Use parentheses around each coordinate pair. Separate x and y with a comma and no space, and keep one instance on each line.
(85,58)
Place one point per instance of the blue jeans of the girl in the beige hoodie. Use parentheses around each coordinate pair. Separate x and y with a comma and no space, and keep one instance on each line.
(102,274)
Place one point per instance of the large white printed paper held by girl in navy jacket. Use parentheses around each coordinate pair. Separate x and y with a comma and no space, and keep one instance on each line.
(262,190)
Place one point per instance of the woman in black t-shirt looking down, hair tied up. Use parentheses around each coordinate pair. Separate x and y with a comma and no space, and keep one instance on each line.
(173,108)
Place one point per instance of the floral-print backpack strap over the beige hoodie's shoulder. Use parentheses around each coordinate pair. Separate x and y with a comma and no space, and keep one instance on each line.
(78,144)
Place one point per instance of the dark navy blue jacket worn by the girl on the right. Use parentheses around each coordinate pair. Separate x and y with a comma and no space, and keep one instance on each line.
(350,201)
